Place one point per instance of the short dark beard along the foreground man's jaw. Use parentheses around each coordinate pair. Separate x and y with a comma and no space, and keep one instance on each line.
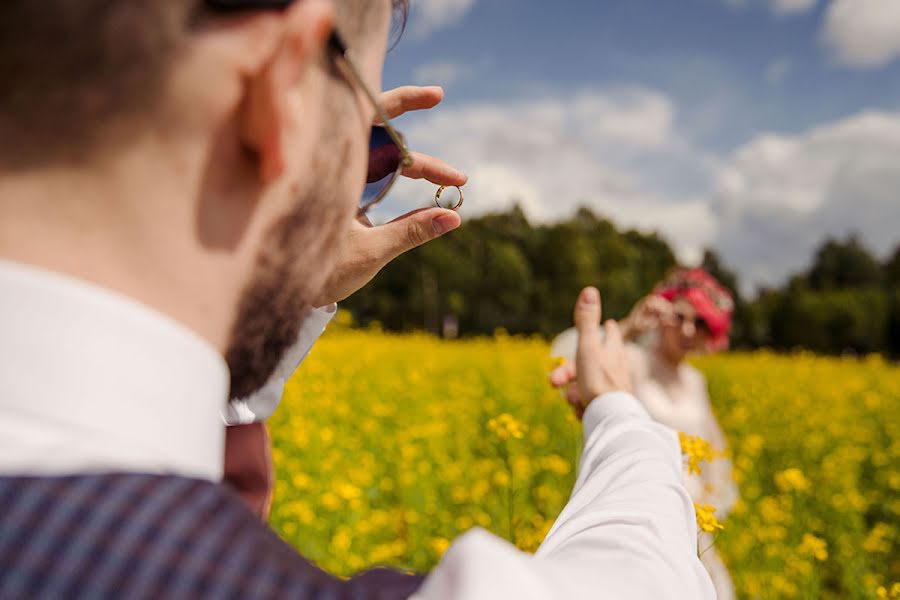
(291,267)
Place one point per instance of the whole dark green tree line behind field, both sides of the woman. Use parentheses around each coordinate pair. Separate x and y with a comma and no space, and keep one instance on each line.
(501,272)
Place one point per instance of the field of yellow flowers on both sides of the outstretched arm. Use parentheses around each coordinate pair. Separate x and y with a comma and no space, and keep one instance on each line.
(387,447)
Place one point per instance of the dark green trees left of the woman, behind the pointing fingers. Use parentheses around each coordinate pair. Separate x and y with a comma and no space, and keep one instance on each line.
(499,271)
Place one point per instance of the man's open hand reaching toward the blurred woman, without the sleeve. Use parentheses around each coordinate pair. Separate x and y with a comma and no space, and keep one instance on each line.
(601,366)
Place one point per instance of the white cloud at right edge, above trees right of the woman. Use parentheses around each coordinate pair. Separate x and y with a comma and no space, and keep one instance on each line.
(781,195)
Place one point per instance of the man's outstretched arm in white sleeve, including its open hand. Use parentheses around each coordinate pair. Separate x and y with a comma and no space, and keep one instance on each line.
(628,530)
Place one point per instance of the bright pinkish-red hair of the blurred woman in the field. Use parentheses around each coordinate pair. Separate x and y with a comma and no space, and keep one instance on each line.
(709,298)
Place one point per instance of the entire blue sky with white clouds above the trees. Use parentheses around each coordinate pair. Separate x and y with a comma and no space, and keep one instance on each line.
(755,127)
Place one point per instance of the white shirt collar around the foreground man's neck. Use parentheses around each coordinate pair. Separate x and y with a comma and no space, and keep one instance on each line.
(92,381)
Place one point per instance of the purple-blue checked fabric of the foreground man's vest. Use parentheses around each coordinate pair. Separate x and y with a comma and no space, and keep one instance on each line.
(146,536)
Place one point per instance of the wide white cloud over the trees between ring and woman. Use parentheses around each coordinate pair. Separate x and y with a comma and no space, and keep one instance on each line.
(553,154)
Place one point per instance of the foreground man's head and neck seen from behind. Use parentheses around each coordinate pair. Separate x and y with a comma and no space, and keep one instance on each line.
(205,162)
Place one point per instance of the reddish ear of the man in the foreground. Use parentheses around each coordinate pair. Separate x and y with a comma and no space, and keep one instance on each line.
(302,32)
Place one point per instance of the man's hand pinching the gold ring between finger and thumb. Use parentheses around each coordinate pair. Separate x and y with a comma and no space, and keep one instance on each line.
(369,249)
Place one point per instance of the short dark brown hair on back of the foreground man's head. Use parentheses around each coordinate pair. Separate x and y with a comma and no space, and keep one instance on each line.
(79,75)
